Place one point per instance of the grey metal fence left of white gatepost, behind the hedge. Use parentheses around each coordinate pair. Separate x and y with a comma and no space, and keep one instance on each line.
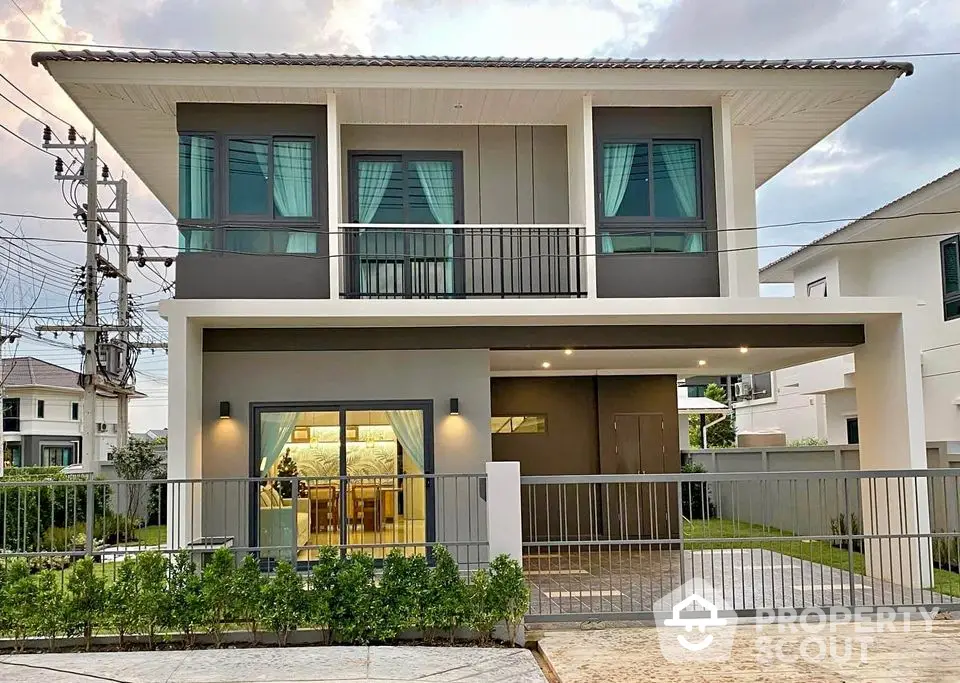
(52,523)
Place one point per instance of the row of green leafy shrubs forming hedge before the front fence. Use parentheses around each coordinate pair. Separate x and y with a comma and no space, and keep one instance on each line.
(345,597)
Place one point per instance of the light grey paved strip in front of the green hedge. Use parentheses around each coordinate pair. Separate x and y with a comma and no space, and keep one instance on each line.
(265,665)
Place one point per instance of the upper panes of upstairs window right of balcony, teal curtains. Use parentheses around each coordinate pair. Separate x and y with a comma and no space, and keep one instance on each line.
(651,180)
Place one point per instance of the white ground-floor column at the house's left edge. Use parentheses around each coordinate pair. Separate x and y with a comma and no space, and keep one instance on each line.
(184,423)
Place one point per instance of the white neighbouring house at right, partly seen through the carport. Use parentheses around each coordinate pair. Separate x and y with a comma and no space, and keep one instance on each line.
(894,259)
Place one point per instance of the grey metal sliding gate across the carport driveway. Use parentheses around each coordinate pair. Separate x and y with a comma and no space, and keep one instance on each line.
(626,547)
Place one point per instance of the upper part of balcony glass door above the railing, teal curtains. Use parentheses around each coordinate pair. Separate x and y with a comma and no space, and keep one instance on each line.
(420,187)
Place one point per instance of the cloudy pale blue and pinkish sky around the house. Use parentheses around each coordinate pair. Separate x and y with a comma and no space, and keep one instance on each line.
(907,138)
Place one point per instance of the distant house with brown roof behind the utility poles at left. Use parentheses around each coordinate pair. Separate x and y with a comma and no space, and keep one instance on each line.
(42,415)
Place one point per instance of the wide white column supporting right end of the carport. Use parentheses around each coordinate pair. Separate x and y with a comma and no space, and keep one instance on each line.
(890,412)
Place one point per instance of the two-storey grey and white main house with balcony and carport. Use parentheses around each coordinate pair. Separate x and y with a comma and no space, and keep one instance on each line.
(419,265)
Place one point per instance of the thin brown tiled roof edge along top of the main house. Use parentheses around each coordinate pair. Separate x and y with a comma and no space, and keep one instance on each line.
(284,59)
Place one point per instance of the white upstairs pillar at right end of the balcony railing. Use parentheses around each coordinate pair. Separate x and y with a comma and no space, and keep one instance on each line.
(580,180)
